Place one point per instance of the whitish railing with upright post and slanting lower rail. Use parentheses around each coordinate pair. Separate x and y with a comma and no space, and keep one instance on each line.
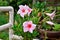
(10,23)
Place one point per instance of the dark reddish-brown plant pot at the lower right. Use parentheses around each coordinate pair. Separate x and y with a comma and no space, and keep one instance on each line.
(50,34)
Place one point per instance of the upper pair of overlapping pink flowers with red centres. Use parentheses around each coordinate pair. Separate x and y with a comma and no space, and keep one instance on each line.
(23,10)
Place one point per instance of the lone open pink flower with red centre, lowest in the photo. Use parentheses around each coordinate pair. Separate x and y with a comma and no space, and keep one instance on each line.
(28,26)
